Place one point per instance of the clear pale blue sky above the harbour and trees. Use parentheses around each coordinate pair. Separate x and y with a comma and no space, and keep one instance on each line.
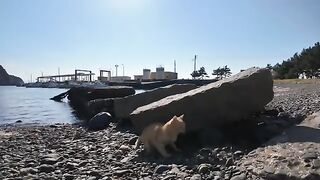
(39,36)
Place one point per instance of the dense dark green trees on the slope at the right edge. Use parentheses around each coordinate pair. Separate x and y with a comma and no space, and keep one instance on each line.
(308,62)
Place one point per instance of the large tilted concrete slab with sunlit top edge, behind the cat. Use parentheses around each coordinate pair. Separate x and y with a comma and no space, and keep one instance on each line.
(227,100)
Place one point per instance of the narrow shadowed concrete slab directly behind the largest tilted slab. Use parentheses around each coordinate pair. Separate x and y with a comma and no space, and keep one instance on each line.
(124,106)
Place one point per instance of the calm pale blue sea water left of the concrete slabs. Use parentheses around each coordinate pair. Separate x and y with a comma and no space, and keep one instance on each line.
(33,105)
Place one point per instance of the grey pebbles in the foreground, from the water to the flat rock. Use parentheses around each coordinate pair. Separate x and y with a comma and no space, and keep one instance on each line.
(71,152)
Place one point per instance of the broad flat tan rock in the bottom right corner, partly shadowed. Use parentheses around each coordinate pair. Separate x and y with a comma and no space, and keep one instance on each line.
(294,154)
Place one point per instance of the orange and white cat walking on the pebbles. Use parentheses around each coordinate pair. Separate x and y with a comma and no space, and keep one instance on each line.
(159,135)
